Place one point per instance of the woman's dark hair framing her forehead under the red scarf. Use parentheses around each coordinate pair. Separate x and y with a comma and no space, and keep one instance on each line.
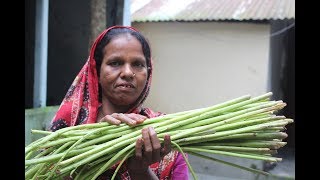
(98,54)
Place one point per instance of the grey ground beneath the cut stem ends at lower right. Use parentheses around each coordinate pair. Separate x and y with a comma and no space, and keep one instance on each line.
(207,170)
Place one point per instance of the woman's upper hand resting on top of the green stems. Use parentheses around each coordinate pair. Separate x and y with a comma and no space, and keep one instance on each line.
(131,119)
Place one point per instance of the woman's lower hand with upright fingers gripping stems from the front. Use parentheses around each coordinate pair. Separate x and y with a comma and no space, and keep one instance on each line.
(148,150)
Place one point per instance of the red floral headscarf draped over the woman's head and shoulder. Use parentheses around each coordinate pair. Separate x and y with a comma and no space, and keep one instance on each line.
(80,104)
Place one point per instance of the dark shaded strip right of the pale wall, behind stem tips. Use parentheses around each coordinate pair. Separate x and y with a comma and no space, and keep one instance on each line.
(282,70)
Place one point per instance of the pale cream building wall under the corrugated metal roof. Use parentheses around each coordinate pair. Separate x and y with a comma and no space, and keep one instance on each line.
(198,64)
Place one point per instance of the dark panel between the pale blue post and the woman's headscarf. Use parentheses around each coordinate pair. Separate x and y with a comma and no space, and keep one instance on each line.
(68,41)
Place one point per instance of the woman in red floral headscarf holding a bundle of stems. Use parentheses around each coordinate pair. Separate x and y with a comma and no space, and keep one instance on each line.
(111,87)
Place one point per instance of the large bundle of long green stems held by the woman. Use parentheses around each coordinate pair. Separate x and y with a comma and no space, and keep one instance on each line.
(245,127)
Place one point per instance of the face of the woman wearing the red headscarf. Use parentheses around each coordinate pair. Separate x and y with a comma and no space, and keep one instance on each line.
(123,72)
